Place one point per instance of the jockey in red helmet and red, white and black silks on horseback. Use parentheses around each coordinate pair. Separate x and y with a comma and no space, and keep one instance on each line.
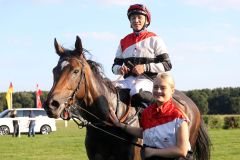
(141,55)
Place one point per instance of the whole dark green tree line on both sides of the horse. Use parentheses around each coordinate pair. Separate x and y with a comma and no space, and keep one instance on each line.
(209,101)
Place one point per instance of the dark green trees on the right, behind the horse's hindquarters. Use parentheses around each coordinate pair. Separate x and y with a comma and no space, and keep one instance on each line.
(217,101)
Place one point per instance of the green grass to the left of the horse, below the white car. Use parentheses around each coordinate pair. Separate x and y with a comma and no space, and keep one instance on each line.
(65,143)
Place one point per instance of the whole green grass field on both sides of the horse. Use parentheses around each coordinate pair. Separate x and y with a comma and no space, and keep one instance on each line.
(68,143)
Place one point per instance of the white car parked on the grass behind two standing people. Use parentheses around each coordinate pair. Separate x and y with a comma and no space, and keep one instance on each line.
(44,124)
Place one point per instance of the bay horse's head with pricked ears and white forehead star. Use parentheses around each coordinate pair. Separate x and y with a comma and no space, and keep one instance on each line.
(69,76)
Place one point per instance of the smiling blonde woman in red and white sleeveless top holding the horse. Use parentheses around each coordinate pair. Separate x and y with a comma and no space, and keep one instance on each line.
(164,127)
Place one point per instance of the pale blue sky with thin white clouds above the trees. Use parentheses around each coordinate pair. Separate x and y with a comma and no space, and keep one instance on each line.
(202,36)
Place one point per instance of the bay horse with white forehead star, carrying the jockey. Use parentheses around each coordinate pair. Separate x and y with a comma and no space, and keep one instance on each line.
(81,90)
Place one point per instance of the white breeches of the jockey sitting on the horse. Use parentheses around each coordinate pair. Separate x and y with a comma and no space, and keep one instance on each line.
(135,84)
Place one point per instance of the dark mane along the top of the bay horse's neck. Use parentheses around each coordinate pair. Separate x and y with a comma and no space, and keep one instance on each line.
(99,74)
